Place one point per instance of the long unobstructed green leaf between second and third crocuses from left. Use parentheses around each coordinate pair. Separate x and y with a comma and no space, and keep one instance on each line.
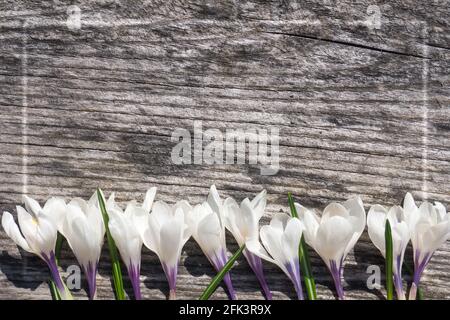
(116,270)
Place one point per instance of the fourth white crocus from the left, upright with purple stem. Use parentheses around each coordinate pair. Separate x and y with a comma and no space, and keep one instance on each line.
(166,234)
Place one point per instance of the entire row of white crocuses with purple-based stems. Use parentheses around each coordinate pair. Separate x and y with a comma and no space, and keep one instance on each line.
(164,229)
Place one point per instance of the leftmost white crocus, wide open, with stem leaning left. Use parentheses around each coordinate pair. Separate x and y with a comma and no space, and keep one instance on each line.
(38,233)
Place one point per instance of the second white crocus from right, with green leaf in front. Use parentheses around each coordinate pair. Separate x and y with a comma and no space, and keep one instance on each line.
(376,223)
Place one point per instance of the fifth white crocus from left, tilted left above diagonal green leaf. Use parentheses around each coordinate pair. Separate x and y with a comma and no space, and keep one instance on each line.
(209,232)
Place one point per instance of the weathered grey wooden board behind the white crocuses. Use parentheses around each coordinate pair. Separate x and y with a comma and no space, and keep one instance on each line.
(362,108)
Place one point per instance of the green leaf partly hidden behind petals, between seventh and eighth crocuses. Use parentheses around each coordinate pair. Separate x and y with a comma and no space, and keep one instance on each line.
(305,264)
